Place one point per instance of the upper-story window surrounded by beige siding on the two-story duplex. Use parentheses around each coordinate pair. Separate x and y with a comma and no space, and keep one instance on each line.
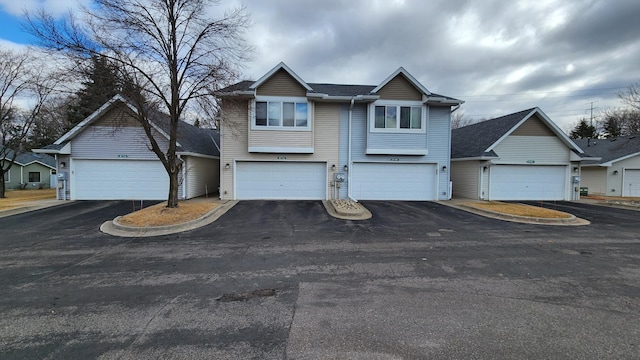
(281,114)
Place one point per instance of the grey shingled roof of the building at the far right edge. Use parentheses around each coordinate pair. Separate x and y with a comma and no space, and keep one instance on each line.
(610,150)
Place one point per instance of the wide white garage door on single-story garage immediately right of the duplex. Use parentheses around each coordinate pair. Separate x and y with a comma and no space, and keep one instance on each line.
(515,182)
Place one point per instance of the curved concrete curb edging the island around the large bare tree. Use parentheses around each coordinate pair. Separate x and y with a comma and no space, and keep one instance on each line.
(114,227)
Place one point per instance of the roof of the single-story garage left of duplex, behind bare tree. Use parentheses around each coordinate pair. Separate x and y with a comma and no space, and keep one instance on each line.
(190,139)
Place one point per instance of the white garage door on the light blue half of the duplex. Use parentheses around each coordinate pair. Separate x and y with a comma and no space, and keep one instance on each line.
(381,181)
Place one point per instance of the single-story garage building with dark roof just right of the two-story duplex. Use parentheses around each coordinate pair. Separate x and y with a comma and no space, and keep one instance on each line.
(521,156)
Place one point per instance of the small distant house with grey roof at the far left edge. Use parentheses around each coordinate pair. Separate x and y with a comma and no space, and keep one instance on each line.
(29,171)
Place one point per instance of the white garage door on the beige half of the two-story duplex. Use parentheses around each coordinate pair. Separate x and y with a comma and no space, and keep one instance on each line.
(281,180)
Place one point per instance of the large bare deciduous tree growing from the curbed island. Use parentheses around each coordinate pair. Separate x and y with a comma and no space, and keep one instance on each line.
(170,52)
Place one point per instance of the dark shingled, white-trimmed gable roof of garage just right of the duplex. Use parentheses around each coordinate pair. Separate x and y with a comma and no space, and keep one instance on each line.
(478,140)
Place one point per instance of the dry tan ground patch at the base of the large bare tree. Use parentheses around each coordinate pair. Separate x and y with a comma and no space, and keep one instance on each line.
(160,215)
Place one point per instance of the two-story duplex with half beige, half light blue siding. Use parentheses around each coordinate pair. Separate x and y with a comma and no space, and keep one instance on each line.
(284,138)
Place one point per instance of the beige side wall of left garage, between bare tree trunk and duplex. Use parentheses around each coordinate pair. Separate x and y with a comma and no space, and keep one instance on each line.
(202,176)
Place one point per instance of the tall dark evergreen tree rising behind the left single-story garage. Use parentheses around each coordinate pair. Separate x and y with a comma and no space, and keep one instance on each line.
(102,84)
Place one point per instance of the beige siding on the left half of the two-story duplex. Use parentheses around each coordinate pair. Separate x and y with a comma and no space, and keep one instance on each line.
(234,141)
